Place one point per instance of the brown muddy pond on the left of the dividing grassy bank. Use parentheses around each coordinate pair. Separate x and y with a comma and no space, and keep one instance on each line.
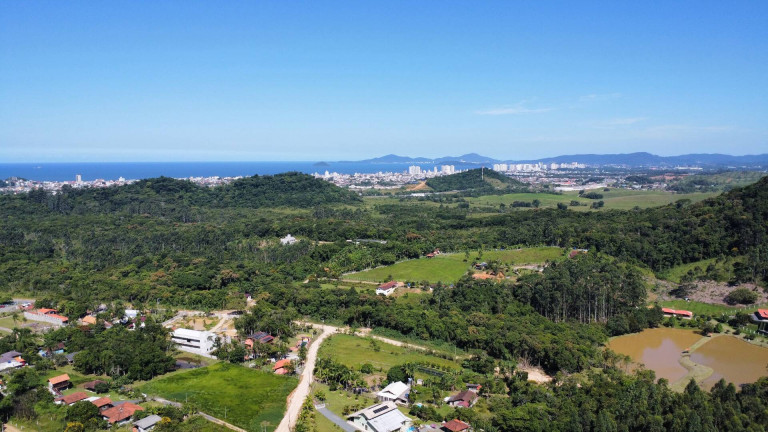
(658,349)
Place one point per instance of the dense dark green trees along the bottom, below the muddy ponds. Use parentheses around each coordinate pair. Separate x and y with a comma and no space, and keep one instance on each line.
(612,401)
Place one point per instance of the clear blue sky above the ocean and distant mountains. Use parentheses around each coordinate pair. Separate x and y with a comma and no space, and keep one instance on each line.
(321,80)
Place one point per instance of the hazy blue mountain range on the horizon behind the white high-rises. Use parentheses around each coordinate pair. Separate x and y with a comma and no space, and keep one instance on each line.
(639,159)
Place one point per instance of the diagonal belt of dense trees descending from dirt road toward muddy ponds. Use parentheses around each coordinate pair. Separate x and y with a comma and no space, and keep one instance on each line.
(473,315)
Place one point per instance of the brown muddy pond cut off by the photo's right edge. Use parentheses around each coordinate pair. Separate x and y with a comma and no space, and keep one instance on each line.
(731,358)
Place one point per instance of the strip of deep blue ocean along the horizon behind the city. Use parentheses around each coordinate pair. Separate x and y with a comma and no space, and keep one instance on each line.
(140,170)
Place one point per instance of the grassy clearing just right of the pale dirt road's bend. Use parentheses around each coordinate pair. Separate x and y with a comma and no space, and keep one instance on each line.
(353,351)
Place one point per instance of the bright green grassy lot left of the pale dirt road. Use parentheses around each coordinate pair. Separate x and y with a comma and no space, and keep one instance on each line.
(248,396)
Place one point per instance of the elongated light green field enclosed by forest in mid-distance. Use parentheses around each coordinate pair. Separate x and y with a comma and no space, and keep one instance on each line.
(450,267)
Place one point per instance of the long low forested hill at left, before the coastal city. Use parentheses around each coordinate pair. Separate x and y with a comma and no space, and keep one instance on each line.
(159,196)
